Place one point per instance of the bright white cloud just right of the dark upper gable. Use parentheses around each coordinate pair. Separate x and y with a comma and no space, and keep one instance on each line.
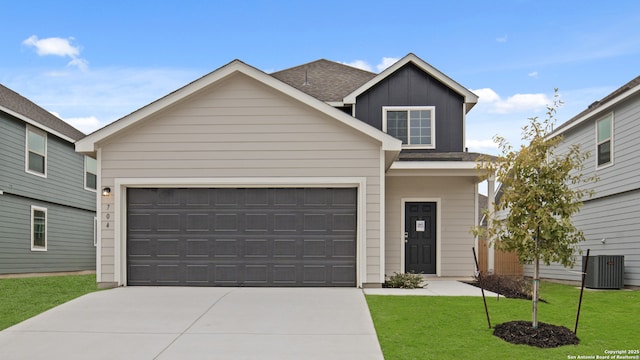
(513,104)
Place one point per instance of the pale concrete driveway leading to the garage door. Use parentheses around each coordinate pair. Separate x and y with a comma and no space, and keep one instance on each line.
(200,323)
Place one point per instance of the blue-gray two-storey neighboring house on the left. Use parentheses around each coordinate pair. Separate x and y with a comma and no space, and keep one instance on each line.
(47,192)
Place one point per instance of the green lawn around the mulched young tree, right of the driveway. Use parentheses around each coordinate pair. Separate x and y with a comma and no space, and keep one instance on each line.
(434,327)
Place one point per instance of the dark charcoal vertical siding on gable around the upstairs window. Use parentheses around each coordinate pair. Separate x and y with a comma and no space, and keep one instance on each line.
(410,86)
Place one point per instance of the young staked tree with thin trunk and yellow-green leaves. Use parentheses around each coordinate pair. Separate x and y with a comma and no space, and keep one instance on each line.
(540,195)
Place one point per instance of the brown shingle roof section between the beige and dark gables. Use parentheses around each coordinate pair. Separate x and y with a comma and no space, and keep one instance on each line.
(325,80)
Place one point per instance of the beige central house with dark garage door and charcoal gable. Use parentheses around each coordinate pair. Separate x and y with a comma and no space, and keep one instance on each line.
(317,175)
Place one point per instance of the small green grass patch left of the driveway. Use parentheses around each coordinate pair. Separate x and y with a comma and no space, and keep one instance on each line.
(23,298)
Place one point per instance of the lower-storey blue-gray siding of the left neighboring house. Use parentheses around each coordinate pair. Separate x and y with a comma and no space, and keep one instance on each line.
(69,238)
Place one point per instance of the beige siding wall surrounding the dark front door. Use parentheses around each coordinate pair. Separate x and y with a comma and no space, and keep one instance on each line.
(458,216)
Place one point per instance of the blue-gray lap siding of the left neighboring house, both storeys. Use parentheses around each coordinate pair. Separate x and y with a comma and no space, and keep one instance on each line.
(71,208)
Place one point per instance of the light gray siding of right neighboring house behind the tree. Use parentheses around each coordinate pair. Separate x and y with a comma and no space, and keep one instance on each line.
(613,213)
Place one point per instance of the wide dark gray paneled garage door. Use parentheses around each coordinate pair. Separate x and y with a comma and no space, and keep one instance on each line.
(241,237)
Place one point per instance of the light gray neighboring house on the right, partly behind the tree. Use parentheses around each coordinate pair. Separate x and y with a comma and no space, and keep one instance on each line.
(609,129)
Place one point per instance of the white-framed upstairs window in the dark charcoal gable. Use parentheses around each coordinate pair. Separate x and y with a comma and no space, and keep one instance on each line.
(414,125)
